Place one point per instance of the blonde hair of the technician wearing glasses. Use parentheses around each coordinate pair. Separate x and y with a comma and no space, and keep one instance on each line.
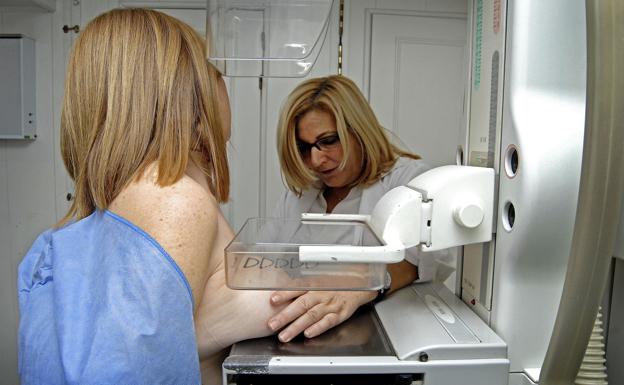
(341,98)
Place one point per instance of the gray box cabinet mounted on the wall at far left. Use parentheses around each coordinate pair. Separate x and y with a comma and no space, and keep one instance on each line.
(17,90)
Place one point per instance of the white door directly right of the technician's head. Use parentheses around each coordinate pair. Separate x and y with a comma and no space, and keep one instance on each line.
(417,74)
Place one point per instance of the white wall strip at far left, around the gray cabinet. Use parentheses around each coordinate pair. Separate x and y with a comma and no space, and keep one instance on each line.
(32,182)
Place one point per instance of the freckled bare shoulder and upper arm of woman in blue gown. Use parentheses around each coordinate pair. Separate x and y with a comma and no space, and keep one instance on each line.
(182,218)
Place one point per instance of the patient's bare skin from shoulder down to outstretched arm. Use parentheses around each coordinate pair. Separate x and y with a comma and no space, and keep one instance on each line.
(185,220)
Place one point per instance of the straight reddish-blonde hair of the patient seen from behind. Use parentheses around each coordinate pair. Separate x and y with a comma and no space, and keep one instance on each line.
(139,90)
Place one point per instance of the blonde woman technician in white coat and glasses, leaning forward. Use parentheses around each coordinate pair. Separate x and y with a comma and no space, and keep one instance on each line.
(336,158)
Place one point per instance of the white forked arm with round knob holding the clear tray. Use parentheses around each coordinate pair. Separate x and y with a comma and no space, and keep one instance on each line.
(444,207)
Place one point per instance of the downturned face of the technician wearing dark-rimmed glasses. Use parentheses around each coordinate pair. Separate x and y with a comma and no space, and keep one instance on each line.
(322,152)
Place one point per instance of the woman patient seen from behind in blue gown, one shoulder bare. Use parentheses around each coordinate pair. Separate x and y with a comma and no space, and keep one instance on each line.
(129,287)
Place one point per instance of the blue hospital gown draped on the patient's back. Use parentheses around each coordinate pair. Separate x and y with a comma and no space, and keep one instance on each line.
(101,302)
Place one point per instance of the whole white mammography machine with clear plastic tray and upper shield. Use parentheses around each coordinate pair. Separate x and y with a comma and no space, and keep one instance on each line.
(536,202)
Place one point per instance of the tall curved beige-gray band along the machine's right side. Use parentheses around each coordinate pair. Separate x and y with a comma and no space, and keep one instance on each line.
(600,194)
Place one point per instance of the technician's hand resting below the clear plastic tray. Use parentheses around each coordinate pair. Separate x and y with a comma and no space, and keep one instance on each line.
(314,312)
